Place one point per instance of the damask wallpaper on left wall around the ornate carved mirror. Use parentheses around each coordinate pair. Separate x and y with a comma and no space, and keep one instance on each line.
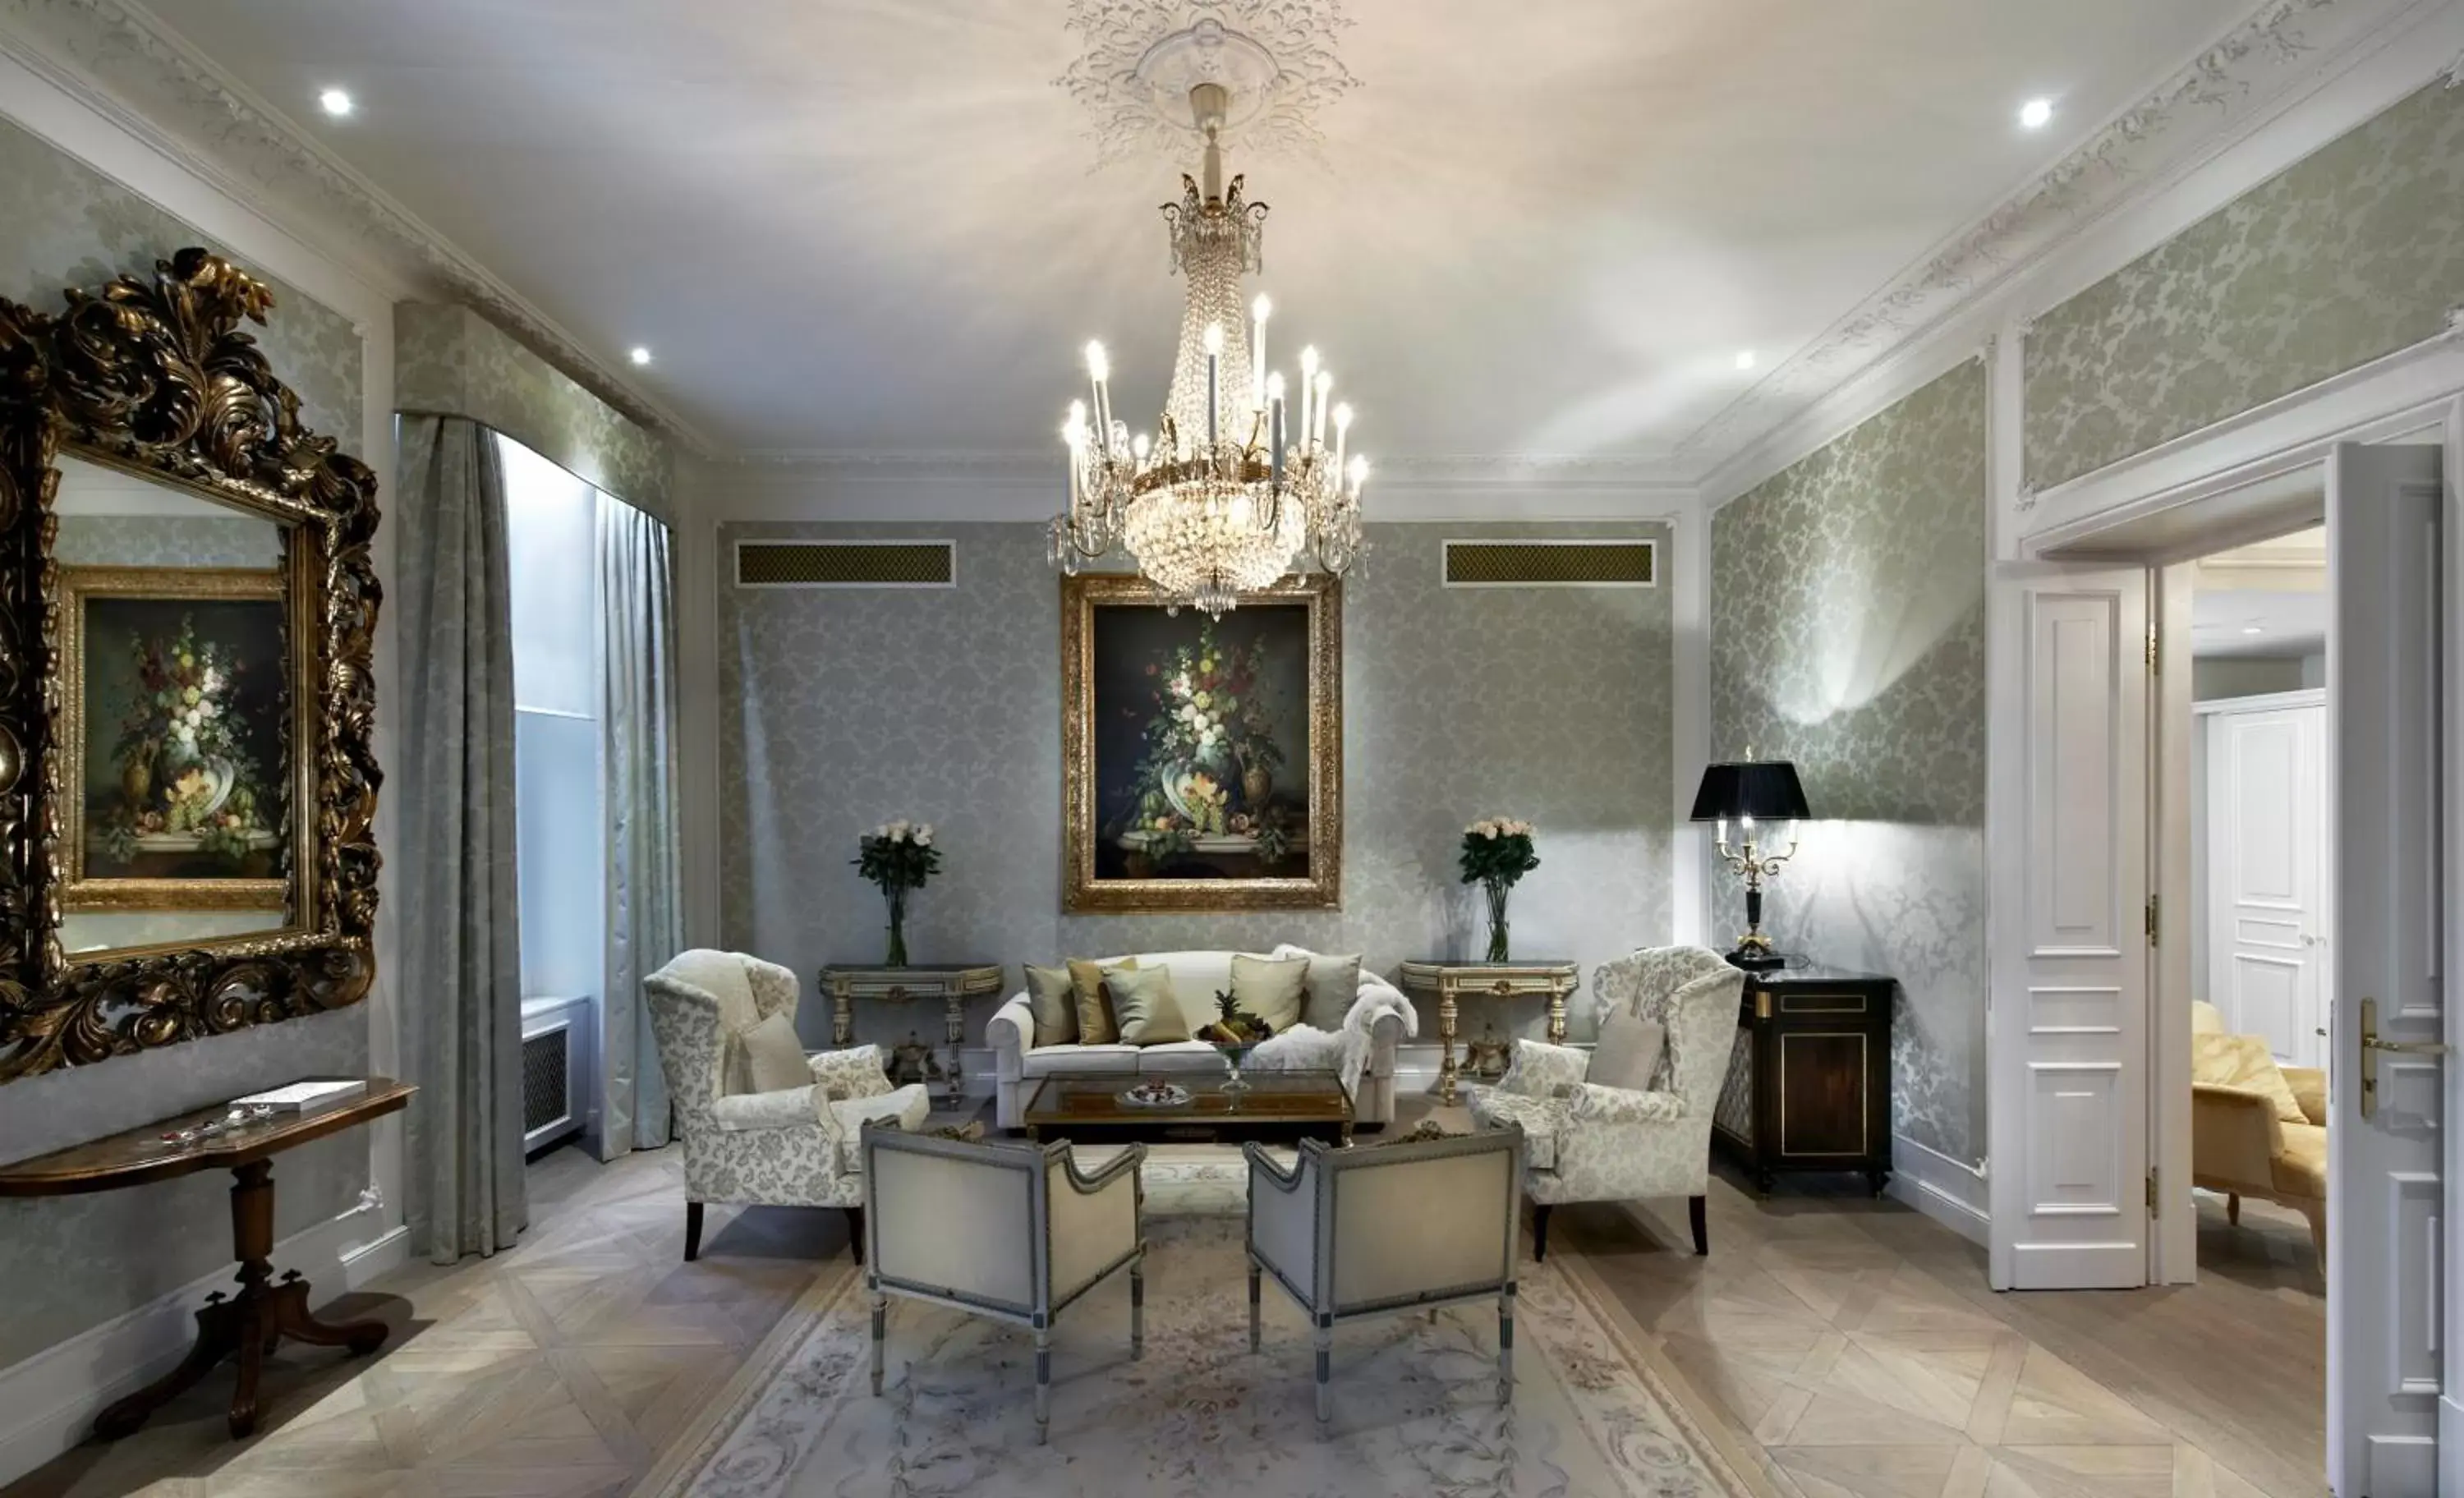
(105,1255)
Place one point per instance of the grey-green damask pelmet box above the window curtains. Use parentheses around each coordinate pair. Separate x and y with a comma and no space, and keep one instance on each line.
(452,361)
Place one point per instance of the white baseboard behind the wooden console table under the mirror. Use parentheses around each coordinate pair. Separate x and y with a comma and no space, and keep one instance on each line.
(51,1398)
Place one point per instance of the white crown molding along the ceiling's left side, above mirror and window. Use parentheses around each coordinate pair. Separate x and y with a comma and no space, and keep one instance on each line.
(134,68)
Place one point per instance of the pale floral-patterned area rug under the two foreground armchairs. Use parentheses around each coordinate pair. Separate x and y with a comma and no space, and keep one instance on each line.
(1416,1401)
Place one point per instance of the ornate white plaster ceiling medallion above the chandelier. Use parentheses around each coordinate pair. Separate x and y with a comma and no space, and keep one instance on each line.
(1273,58)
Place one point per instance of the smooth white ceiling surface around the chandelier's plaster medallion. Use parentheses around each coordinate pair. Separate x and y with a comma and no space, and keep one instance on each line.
(876,228)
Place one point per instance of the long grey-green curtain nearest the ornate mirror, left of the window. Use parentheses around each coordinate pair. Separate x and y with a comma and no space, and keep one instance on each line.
(462,960)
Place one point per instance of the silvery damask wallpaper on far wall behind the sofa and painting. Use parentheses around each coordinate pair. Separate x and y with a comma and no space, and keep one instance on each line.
(849,708)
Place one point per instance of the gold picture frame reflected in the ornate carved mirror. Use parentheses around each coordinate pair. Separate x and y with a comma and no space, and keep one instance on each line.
(85,888)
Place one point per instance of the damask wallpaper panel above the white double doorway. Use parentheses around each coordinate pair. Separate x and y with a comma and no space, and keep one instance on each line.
(2344,257)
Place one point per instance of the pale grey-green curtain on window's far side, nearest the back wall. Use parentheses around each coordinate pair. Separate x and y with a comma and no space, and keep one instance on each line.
(644,903)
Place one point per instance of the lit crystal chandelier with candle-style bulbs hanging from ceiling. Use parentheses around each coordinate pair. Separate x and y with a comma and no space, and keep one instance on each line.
(1236,487)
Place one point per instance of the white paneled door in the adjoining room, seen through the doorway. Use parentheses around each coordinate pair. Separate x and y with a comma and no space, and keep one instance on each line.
(2268,873)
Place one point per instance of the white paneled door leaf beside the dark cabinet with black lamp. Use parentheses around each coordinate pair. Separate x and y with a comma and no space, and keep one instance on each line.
(2071,979)
